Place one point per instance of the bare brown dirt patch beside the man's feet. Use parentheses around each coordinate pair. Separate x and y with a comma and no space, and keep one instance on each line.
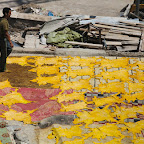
(19,76)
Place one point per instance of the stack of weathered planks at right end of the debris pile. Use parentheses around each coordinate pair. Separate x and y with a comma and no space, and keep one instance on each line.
(124,36)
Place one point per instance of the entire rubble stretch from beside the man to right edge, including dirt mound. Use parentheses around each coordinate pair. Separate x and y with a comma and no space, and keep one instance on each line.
(33,29)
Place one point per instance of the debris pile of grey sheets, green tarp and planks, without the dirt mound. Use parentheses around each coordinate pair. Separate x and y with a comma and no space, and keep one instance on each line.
(124,36)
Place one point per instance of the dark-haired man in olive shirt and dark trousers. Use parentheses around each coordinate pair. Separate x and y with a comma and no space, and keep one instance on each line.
(5,41)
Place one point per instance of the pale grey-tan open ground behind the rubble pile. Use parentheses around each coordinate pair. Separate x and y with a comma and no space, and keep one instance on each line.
(80,7)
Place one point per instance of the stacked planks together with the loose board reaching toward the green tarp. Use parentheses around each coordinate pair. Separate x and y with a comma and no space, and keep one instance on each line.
(125,36)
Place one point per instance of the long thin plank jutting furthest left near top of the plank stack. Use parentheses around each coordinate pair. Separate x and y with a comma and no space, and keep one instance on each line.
(110,27)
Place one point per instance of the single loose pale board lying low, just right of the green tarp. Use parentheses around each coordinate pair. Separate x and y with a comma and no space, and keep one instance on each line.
(90,45)
